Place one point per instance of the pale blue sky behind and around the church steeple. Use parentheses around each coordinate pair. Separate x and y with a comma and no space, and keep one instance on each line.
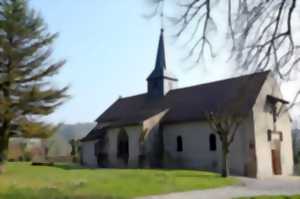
(110,49)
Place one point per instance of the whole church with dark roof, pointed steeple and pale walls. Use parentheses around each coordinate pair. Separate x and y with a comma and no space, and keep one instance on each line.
(167,127)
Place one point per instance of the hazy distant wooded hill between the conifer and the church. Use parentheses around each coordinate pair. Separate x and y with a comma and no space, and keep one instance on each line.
(59,145)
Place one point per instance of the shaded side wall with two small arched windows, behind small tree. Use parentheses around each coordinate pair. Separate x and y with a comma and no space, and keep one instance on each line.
(196,153)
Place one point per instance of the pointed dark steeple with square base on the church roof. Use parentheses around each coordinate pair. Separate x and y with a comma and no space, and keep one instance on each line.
(161,81)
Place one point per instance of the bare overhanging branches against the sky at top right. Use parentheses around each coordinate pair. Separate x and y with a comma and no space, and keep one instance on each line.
(260,31)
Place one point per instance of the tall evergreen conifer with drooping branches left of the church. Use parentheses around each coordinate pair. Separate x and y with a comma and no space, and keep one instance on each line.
(26,93)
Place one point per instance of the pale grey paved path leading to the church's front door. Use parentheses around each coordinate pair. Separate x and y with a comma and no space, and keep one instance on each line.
(247,187)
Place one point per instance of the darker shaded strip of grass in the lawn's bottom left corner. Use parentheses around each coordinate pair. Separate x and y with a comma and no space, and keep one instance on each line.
(46,193)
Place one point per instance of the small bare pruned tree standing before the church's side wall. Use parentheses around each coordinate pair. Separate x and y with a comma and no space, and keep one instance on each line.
(226,119)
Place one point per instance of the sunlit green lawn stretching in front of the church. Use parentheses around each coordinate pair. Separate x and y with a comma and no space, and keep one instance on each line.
(23,181)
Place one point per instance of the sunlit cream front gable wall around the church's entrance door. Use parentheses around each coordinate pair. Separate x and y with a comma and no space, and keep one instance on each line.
(263,120)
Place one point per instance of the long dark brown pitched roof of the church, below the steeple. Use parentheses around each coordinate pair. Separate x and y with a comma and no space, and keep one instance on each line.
(188,104)
